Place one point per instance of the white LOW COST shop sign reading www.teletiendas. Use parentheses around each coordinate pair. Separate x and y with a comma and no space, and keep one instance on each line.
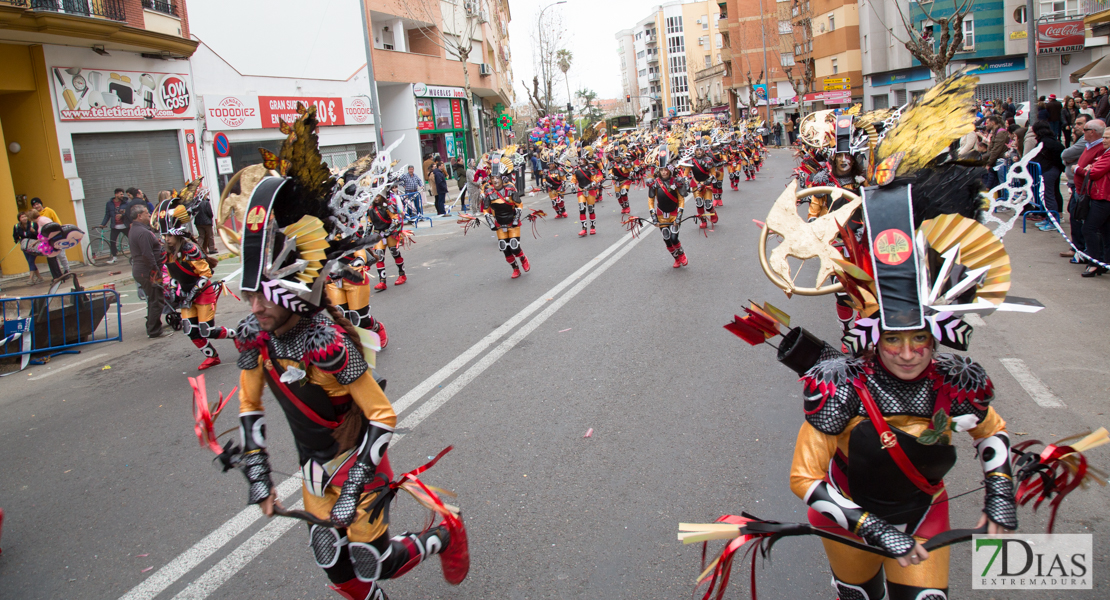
(93,95)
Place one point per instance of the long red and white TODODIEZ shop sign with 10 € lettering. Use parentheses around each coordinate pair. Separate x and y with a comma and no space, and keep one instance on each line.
(244,113)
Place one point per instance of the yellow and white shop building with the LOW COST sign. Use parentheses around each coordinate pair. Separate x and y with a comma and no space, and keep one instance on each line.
(94,96)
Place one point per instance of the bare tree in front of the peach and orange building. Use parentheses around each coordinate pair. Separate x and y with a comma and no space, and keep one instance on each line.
(453,32)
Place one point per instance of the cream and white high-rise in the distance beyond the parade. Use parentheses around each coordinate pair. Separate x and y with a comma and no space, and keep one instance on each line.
(662,54)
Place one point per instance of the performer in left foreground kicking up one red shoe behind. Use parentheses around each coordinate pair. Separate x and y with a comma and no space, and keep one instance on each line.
(314,364)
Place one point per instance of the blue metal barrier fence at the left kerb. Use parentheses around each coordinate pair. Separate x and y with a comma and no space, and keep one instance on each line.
(59,322)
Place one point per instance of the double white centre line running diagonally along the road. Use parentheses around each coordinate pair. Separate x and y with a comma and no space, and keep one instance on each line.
(179,567)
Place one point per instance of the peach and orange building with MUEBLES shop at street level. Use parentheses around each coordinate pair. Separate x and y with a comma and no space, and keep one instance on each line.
(421,84)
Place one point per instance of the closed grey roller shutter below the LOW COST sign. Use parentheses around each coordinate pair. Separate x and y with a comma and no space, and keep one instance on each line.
(149,160)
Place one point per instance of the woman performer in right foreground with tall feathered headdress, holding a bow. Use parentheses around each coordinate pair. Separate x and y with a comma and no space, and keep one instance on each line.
(872,457)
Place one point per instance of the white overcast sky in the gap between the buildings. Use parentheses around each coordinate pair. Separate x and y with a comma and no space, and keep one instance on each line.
(591,27)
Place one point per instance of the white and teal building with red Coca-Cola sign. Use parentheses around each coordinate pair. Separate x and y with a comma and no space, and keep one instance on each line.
(995,47)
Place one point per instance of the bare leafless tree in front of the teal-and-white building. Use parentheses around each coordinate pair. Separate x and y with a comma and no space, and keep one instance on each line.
(925,45)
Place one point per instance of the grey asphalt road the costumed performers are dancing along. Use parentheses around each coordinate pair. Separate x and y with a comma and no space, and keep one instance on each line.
(108,495)
